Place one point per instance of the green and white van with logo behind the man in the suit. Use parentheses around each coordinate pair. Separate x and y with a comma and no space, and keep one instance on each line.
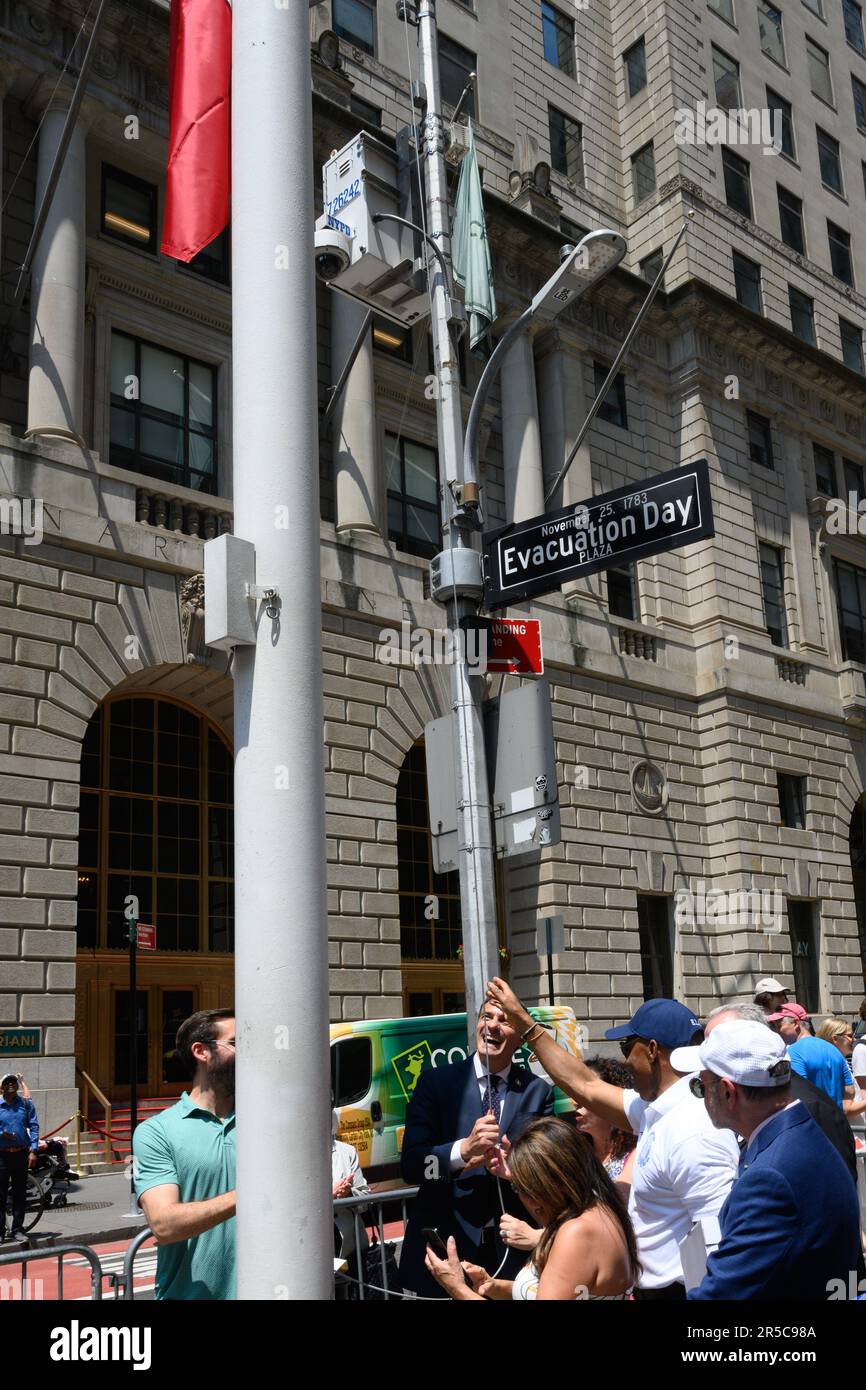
(376,1065)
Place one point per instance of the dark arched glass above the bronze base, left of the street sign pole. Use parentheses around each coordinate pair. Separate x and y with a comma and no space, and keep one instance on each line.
(423,938)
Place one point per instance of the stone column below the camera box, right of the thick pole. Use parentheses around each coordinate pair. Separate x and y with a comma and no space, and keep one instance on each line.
(354,432)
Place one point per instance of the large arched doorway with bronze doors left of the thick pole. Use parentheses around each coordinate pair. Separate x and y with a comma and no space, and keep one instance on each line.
(155,821)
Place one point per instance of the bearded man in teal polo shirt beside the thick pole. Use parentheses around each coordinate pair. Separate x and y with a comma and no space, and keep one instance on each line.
(184,1166)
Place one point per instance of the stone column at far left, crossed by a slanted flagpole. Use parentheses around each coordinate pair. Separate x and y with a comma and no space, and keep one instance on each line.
(58,288)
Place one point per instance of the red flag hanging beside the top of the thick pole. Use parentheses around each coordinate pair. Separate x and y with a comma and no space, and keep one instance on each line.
(198,180)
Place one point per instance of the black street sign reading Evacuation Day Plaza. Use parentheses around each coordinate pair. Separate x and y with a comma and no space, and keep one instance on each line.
(614,529)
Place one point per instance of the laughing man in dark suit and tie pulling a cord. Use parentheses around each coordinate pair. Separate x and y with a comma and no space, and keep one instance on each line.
(452,1127)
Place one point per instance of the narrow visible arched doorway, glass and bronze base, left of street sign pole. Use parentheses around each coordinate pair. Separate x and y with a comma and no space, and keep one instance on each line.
(430,906)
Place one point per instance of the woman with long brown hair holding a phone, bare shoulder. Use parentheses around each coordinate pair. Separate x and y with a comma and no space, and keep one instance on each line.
(587,1248)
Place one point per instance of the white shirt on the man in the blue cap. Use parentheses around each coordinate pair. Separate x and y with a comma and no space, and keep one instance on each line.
(683,1172)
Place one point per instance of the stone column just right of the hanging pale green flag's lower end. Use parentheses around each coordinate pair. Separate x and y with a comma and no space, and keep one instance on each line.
(525,494)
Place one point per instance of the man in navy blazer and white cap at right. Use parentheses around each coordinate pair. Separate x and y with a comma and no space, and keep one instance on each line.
(792,1223)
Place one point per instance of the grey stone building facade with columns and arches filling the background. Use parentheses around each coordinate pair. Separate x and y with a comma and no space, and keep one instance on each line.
(710,705)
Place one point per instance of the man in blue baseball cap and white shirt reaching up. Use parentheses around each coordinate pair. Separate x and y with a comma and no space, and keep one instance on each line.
(685,1167)
